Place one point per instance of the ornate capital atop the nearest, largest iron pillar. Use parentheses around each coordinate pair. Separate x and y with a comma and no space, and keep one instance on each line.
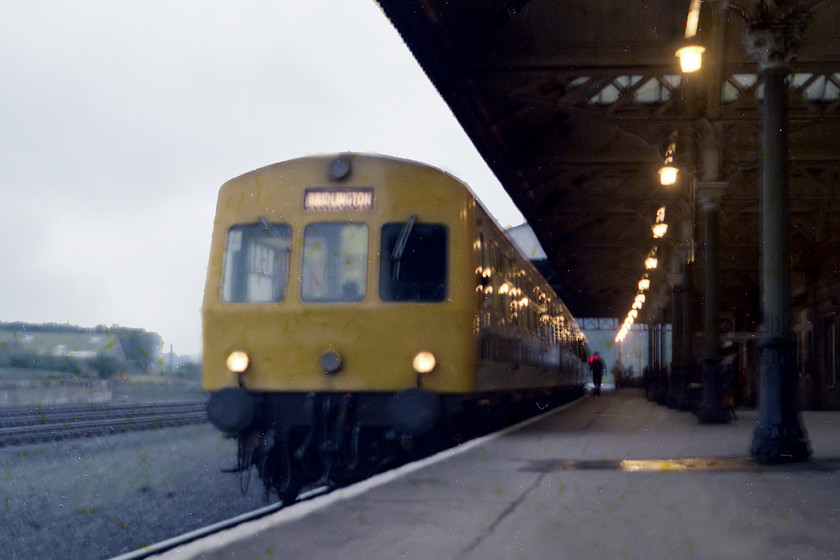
(774,32)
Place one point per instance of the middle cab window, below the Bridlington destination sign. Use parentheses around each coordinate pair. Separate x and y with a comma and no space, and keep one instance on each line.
(334,262)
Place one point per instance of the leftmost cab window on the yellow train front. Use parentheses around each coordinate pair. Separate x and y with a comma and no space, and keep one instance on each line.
(256,264)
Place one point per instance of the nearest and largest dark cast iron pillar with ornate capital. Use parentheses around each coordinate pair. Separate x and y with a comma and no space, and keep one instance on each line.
(772,39)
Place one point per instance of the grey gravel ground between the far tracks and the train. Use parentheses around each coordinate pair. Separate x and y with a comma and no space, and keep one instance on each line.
(101,497)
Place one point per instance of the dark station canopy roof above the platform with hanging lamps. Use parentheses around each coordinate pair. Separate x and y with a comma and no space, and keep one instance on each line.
(575,106)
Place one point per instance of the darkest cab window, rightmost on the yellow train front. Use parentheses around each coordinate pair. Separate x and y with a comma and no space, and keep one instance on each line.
(413,262)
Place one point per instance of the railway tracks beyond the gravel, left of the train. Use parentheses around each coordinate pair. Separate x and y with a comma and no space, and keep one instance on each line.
(29,424)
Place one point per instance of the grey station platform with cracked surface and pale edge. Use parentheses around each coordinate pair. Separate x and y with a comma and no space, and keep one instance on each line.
(606,477)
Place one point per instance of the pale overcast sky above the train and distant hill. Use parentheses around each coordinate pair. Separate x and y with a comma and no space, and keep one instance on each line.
(119,120)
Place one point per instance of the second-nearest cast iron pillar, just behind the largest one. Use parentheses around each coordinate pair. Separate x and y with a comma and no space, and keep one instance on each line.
(711,409)
